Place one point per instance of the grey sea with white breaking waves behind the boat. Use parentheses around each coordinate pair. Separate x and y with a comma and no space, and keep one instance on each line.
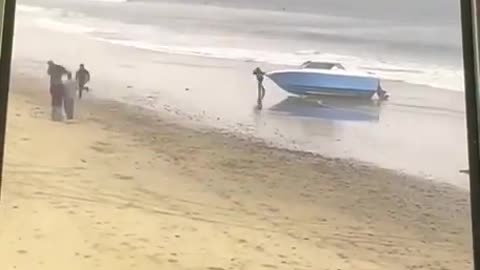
(413,41)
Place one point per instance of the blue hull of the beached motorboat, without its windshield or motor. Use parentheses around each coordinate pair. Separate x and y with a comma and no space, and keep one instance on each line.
(318,84)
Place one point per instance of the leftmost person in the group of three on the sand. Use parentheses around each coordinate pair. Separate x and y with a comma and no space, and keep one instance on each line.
(56,73)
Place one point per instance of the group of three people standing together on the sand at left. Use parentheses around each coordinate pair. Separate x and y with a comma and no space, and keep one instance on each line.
(63,92)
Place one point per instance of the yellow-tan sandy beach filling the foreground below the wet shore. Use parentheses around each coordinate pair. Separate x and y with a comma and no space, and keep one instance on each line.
(122,189)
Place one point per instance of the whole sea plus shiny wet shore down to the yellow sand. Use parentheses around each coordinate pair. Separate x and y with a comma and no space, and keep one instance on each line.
(140,52)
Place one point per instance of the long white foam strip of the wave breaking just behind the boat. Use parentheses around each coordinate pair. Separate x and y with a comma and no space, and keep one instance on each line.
(434,76)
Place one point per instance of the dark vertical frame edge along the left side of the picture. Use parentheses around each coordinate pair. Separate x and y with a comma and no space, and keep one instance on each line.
(5,70)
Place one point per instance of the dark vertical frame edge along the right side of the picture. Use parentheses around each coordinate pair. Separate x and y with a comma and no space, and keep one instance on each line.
(472,120)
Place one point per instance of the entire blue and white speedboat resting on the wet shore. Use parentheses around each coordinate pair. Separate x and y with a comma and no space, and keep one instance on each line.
(327,79)
